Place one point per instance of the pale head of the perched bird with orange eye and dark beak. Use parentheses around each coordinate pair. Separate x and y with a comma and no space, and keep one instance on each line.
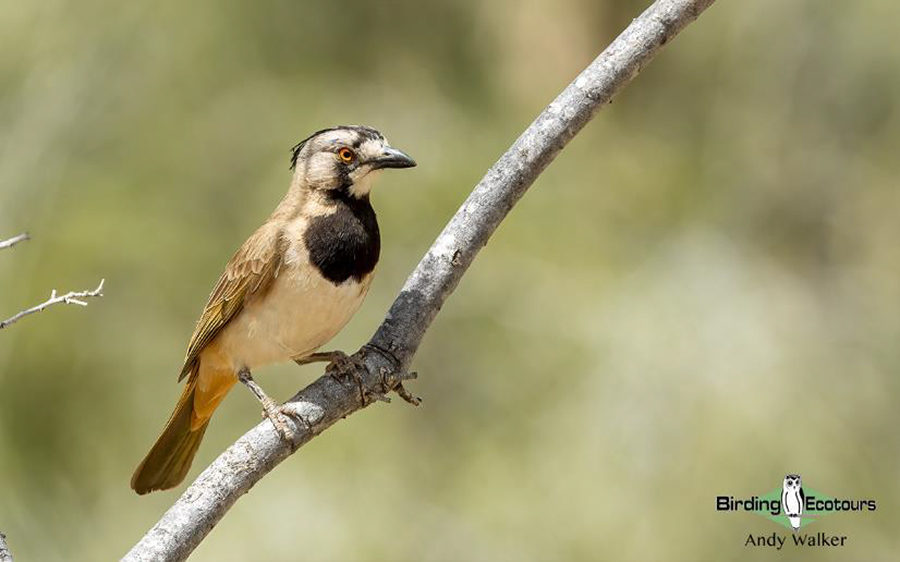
(343,161)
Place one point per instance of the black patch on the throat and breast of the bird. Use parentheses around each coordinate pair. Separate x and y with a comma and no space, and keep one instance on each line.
(347,242)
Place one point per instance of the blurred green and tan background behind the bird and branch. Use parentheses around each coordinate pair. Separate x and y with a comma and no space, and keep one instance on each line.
(698,296)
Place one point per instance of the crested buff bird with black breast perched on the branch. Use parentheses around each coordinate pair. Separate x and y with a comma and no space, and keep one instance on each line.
(288,290)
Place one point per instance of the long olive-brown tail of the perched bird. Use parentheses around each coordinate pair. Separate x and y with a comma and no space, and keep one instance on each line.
(170,458)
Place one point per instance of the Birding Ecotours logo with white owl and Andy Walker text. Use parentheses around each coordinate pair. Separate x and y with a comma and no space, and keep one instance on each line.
(794,506)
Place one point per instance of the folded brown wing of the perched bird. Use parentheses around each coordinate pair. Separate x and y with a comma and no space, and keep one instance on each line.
(251,271)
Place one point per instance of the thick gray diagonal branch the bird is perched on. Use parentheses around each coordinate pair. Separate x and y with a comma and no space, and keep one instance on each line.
(390,351)
